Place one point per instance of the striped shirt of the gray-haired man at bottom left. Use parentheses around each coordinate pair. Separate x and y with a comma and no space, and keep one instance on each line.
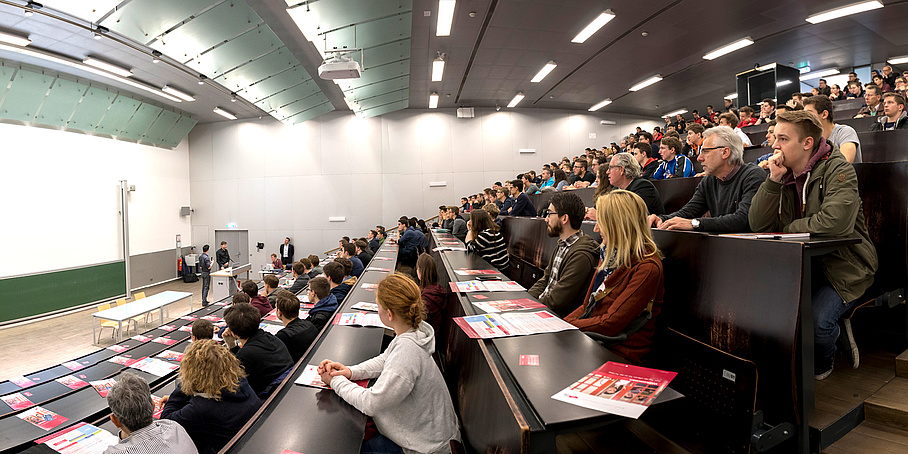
(160,437)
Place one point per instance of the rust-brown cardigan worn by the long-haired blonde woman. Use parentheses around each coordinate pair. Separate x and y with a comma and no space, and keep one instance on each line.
(631,290)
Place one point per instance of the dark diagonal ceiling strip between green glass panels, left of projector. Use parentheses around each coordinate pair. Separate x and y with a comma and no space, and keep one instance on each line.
(274,13)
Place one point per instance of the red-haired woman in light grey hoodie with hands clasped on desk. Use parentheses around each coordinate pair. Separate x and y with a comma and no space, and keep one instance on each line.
(409,402)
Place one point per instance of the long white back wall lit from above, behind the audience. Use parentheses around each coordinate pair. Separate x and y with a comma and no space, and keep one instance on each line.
(277,180)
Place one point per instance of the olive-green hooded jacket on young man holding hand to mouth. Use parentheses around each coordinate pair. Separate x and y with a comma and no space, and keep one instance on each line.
(822,200)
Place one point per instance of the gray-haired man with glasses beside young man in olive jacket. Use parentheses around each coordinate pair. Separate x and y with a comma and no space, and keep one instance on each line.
(725,192)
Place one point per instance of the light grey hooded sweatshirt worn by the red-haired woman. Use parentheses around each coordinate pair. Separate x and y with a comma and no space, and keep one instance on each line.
(409,402)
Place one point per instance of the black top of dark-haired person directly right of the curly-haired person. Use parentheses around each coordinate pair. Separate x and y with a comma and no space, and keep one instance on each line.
(264,357)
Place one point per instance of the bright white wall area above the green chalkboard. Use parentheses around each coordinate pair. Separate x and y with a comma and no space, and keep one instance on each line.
(61,198)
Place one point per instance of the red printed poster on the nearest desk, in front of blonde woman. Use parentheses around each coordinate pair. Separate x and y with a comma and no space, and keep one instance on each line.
(617,388)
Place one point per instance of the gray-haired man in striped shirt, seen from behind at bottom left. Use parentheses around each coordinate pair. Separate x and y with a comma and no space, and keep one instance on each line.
(131,411)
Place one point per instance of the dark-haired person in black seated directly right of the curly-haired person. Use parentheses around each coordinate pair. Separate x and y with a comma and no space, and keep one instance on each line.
(262,355)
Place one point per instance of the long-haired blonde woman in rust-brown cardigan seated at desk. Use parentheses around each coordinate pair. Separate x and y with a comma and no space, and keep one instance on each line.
(629,279)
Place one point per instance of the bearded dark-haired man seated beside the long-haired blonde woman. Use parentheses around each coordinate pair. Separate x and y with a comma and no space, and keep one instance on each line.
(573,263)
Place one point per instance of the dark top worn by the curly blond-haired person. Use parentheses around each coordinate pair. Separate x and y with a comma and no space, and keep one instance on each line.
(212,423)
